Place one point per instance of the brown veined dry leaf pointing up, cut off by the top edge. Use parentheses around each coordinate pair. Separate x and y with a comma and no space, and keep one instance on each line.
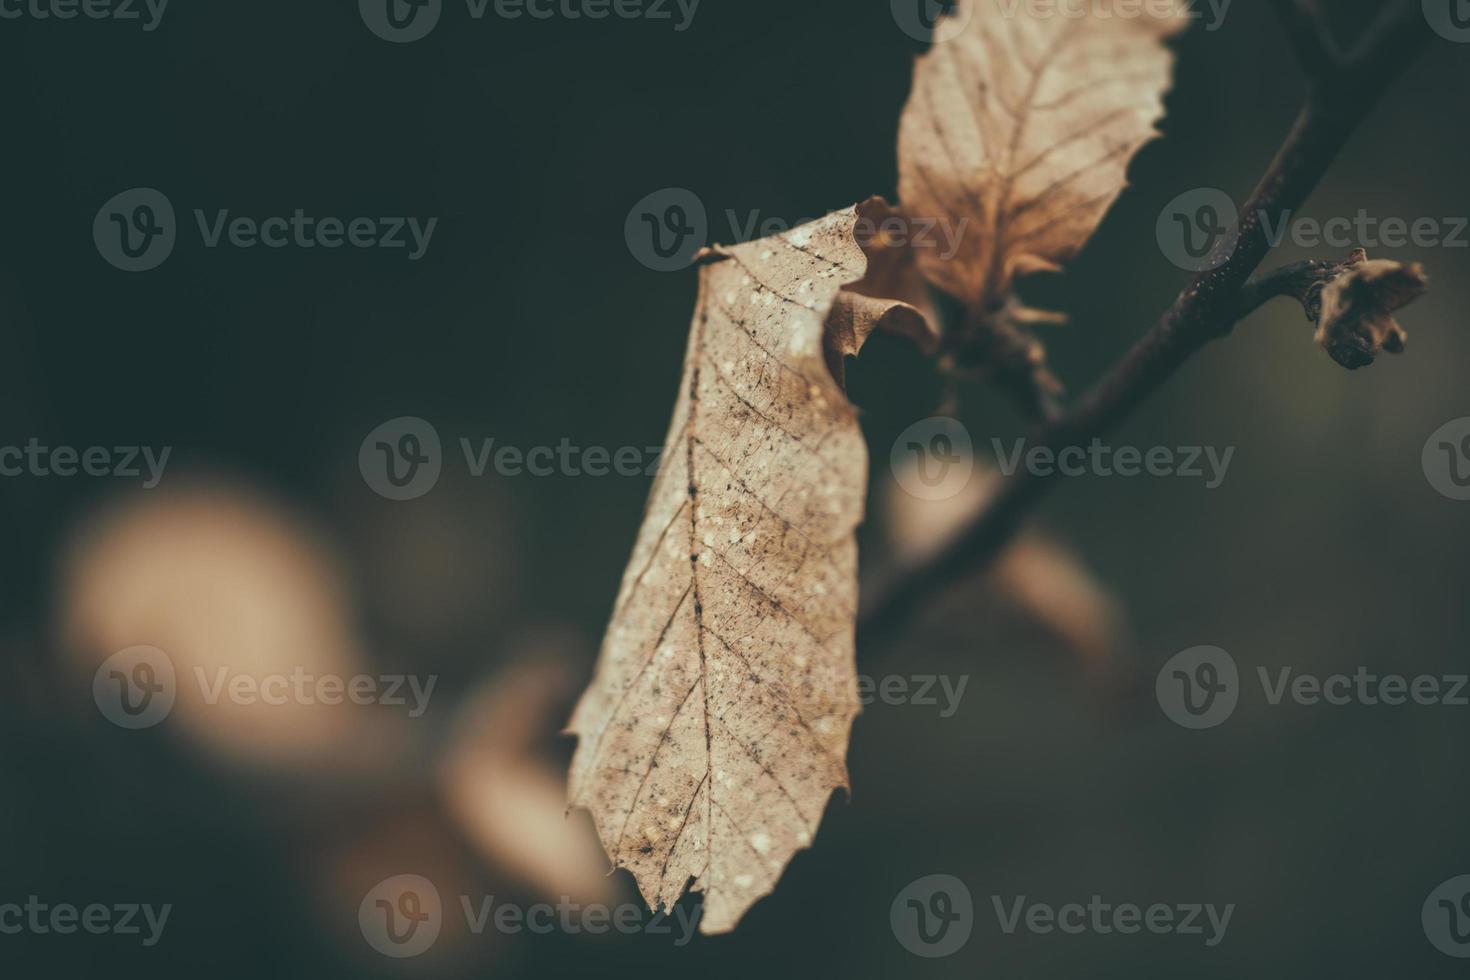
(1024,126)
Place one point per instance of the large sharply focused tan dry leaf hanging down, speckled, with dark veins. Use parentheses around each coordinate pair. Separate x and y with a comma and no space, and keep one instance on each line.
(717,727)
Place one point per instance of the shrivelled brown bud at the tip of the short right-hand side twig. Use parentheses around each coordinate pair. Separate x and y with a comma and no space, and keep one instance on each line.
(1356,317)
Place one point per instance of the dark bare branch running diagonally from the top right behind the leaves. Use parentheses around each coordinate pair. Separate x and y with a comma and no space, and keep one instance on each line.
(1208,309)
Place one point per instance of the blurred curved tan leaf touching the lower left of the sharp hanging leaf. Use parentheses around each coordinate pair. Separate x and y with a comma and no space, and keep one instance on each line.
(509,800)
